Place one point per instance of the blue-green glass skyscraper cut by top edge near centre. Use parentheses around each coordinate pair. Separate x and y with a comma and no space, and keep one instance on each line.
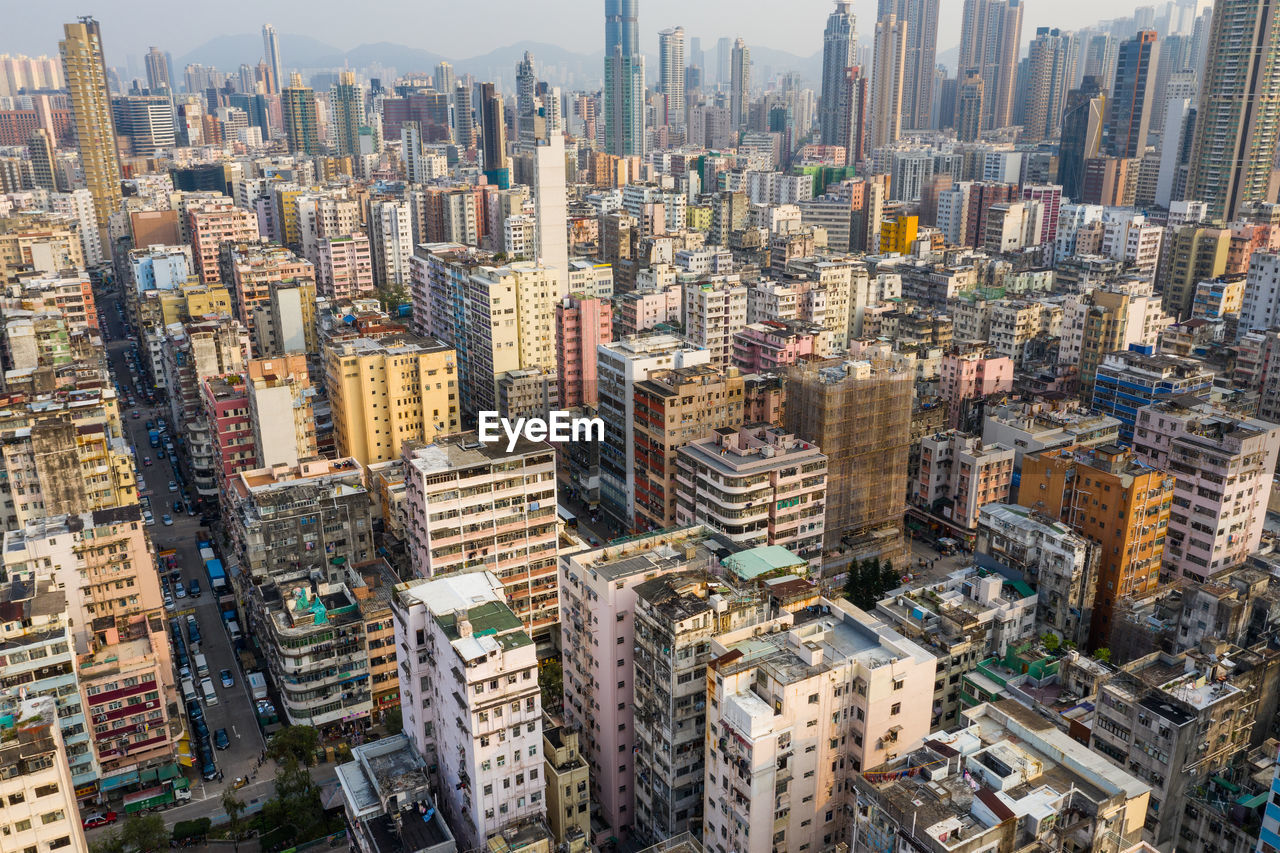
(624,79)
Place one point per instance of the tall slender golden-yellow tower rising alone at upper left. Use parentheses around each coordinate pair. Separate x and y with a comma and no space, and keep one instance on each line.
(85,71)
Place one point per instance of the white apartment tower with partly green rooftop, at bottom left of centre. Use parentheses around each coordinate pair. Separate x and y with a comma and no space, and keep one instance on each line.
(472,703)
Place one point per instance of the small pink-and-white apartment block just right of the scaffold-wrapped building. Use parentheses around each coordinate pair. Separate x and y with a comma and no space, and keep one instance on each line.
(961,475)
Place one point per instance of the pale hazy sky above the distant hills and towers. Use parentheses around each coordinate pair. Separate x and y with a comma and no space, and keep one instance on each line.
(470,28)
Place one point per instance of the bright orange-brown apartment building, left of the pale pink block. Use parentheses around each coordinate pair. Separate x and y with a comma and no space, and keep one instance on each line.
(1112,499)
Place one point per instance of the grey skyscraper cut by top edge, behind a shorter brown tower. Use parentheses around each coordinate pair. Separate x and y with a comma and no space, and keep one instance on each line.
(991,34)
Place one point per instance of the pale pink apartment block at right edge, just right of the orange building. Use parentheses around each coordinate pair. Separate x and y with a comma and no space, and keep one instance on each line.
(1223,467)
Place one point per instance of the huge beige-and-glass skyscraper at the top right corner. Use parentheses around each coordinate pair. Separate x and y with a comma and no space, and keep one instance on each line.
(1238,112)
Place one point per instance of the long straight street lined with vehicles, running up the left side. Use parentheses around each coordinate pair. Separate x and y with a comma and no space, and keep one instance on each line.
(235,709)
